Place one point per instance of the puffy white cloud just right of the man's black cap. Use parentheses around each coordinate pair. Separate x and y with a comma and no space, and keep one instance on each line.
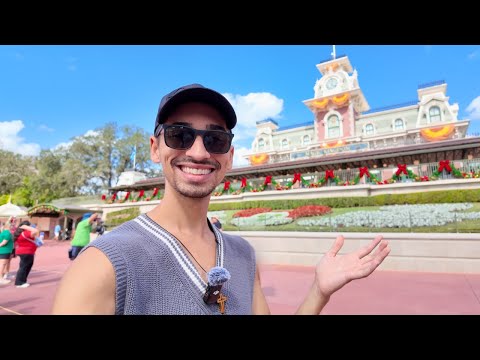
(251,108)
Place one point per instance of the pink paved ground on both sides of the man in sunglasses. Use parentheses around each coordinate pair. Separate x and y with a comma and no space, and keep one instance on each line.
(383,292)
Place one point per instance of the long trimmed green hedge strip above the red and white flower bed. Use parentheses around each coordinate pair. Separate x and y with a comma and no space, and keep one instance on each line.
(430,197)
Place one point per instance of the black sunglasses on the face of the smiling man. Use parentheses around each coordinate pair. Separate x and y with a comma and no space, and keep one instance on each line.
(181,137)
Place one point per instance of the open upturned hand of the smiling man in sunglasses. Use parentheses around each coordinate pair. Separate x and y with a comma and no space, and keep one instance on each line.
(334,271)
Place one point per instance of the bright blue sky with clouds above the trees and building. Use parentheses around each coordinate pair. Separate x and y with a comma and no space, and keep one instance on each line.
(50,94)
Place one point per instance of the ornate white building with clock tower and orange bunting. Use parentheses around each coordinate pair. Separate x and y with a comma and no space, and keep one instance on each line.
(343,122)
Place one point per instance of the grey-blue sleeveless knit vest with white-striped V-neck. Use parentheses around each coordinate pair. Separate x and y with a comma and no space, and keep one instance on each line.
(154,275)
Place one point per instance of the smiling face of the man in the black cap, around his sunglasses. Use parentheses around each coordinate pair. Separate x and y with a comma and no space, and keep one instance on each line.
(193,172)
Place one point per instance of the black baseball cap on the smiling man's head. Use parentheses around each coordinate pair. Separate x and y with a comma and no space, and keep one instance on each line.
(194,93)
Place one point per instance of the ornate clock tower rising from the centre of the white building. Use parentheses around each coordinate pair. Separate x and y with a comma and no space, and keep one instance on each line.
(337,102)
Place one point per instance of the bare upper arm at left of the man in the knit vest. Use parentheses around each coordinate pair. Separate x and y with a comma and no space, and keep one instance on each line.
(88,286)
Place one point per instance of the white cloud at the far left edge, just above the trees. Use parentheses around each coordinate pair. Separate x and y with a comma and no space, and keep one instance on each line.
(11,141)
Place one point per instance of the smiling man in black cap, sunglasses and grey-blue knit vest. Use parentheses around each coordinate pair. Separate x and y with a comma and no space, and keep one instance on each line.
(159,262)
